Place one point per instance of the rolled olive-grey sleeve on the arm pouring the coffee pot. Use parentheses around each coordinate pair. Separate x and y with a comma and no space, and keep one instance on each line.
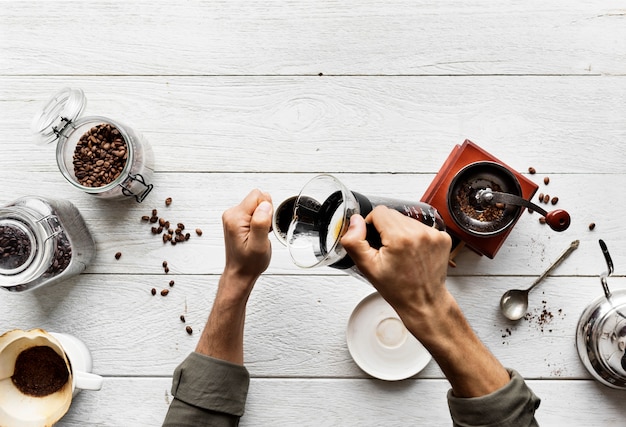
(513,405)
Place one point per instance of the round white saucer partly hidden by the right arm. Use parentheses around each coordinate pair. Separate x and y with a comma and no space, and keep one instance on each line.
(380,344)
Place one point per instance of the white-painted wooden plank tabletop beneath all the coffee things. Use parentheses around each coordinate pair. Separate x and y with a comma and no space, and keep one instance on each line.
(234,95)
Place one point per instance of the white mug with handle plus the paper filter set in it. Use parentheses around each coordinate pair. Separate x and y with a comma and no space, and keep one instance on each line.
(20,409)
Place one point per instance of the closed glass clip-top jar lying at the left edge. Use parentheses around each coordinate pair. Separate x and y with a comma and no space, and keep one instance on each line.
(42,241)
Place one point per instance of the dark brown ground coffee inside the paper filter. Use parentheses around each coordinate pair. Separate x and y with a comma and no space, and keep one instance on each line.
(39,371)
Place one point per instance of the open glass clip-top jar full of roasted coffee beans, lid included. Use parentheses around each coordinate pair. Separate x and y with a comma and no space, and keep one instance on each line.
(97,155)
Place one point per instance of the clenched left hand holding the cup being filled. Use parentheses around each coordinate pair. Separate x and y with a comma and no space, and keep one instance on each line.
(248,248)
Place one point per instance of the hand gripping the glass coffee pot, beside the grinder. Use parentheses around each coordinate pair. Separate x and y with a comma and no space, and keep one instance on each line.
(409,270)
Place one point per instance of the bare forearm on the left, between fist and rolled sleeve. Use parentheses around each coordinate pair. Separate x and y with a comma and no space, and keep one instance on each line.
(222,337)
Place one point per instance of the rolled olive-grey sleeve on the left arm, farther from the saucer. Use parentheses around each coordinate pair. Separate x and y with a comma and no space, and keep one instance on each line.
(207,391)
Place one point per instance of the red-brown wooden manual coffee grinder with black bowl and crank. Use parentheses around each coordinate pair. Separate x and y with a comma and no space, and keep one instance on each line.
(480,199)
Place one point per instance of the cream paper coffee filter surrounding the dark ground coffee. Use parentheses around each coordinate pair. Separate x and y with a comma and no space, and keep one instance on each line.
(16,408)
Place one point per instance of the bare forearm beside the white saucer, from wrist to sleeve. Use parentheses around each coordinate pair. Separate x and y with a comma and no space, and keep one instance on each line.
(468,365)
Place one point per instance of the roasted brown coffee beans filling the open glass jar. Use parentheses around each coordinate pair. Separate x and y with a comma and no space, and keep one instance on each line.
(100,156)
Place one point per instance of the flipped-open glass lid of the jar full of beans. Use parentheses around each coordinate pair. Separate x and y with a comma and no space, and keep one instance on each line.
(63,108)
